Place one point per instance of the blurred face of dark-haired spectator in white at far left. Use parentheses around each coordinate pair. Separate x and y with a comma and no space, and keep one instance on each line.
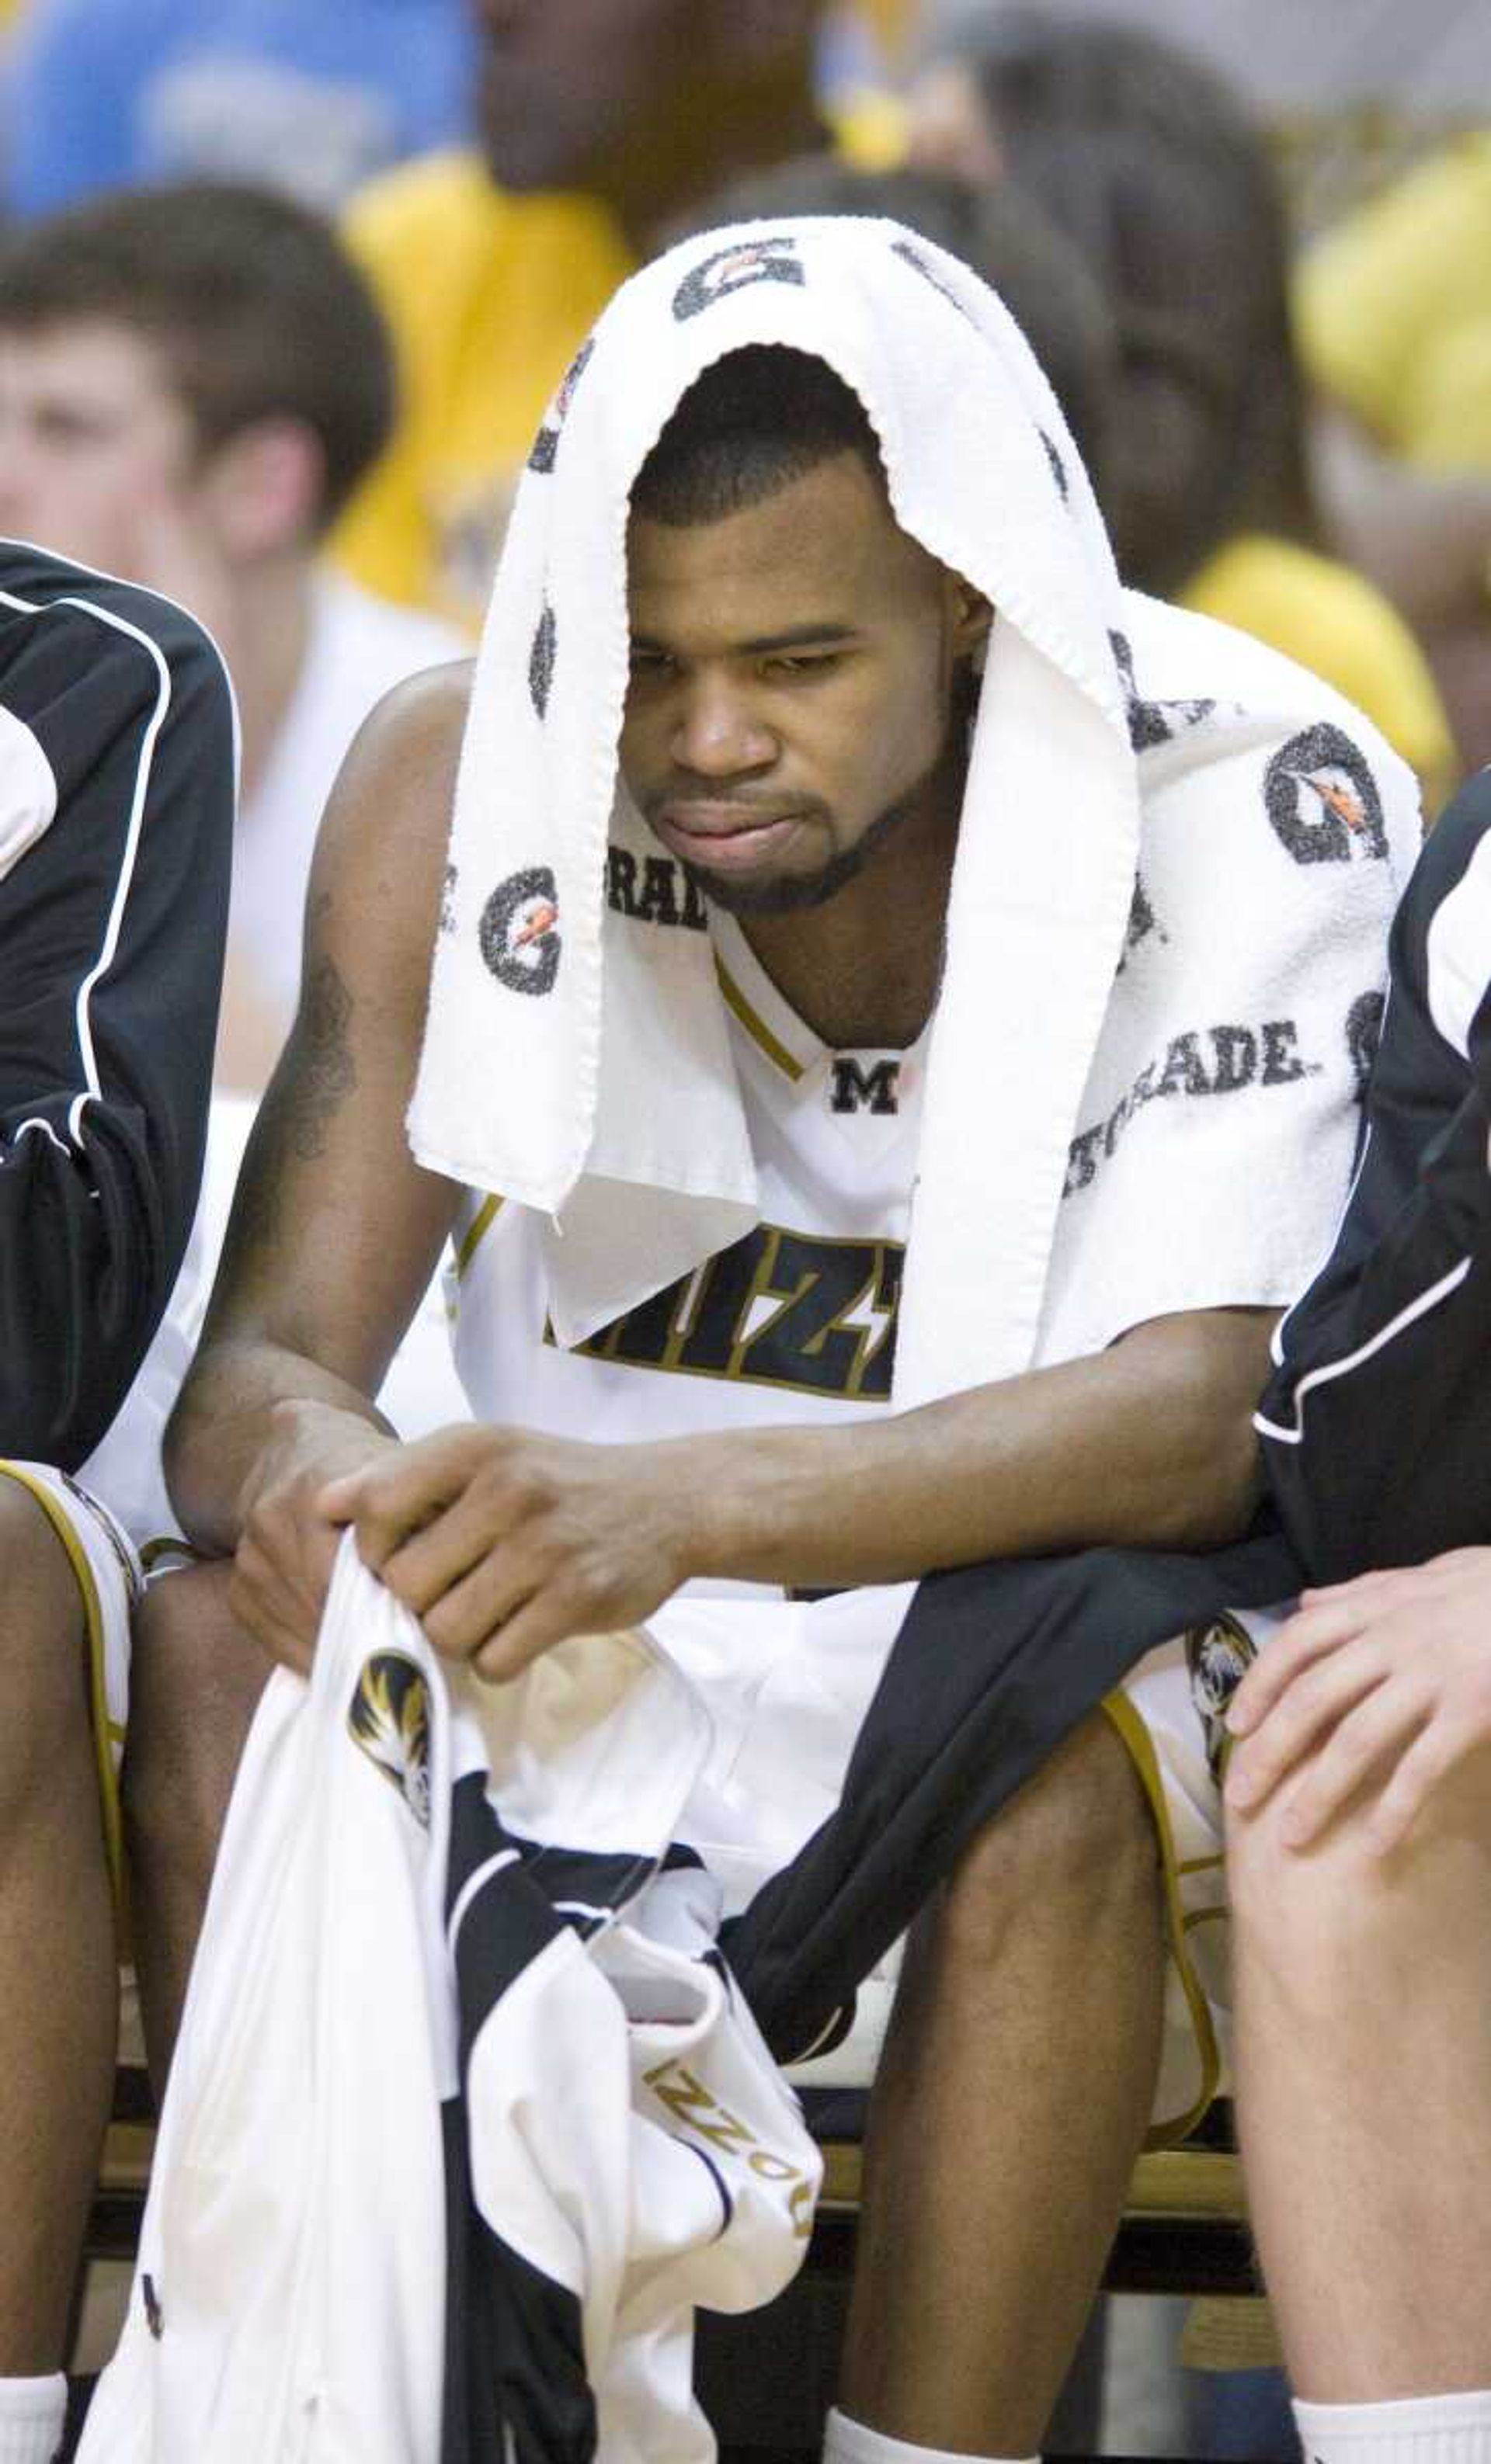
(95,445)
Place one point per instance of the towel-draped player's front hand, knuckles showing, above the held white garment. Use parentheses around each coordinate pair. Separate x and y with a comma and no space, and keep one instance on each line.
(506,1544)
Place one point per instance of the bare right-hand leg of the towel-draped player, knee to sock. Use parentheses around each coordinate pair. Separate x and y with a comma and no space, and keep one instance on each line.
(1012,2103)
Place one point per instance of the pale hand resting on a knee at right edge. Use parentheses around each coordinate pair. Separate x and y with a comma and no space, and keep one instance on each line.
(1376,1689)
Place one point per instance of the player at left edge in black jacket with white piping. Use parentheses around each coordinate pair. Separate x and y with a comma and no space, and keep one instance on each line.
(117,785)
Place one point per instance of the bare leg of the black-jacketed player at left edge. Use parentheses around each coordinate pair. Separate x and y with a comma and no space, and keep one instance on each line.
(58,1963)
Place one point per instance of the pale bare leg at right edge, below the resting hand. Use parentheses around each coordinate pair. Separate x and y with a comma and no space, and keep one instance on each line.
(1364,2064)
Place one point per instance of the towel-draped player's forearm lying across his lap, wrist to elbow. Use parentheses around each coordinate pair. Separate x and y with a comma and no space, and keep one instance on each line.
(1147,1445)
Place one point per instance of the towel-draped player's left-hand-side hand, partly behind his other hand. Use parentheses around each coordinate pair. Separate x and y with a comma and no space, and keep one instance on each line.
(287,1544)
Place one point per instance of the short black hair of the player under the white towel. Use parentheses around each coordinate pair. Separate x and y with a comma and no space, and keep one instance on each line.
(755,420)
